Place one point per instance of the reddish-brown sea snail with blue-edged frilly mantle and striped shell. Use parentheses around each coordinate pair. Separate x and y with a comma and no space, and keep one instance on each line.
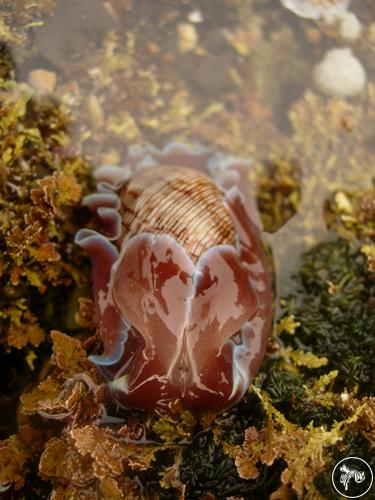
(182,289)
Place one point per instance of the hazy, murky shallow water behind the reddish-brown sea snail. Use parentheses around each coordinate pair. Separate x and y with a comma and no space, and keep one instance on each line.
(234,75)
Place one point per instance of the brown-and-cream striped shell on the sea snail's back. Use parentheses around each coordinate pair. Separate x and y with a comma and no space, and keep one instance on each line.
(184,204)
